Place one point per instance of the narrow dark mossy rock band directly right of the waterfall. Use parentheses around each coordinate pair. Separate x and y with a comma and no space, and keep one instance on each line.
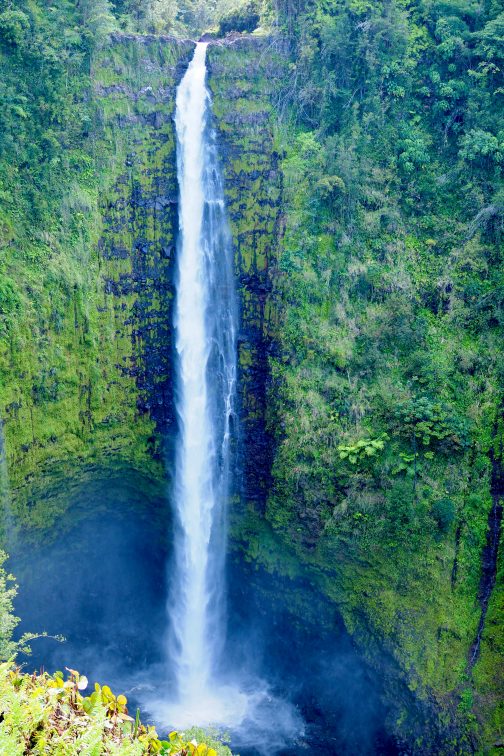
(242,76)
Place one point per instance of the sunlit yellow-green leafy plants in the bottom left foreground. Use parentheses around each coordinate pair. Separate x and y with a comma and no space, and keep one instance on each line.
(42,714)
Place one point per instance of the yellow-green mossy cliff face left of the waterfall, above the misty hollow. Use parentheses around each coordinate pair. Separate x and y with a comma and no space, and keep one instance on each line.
(87,374)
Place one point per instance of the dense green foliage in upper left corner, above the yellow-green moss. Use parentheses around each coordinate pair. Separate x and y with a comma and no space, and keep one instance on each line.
(43,128)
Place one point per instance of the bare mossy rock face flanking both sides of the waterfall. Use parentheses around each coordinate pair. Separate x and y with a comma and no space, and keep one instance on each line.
(87,378)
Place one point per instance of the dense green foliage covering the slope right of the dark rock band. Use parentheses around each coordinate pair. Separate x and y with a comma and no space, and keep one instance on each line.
(388,376)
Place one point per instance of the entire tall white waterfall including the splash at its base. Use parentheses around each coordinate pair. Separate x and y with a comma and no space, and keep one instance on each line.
(206,323)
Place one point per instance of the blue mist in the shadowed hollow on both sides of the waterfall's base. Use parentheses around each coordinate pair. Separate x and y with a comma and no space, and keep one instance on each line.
(100,580)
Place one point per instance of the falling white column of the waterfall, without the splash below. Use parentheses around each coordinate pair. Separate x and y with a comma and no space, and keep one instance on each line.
(205,328)
